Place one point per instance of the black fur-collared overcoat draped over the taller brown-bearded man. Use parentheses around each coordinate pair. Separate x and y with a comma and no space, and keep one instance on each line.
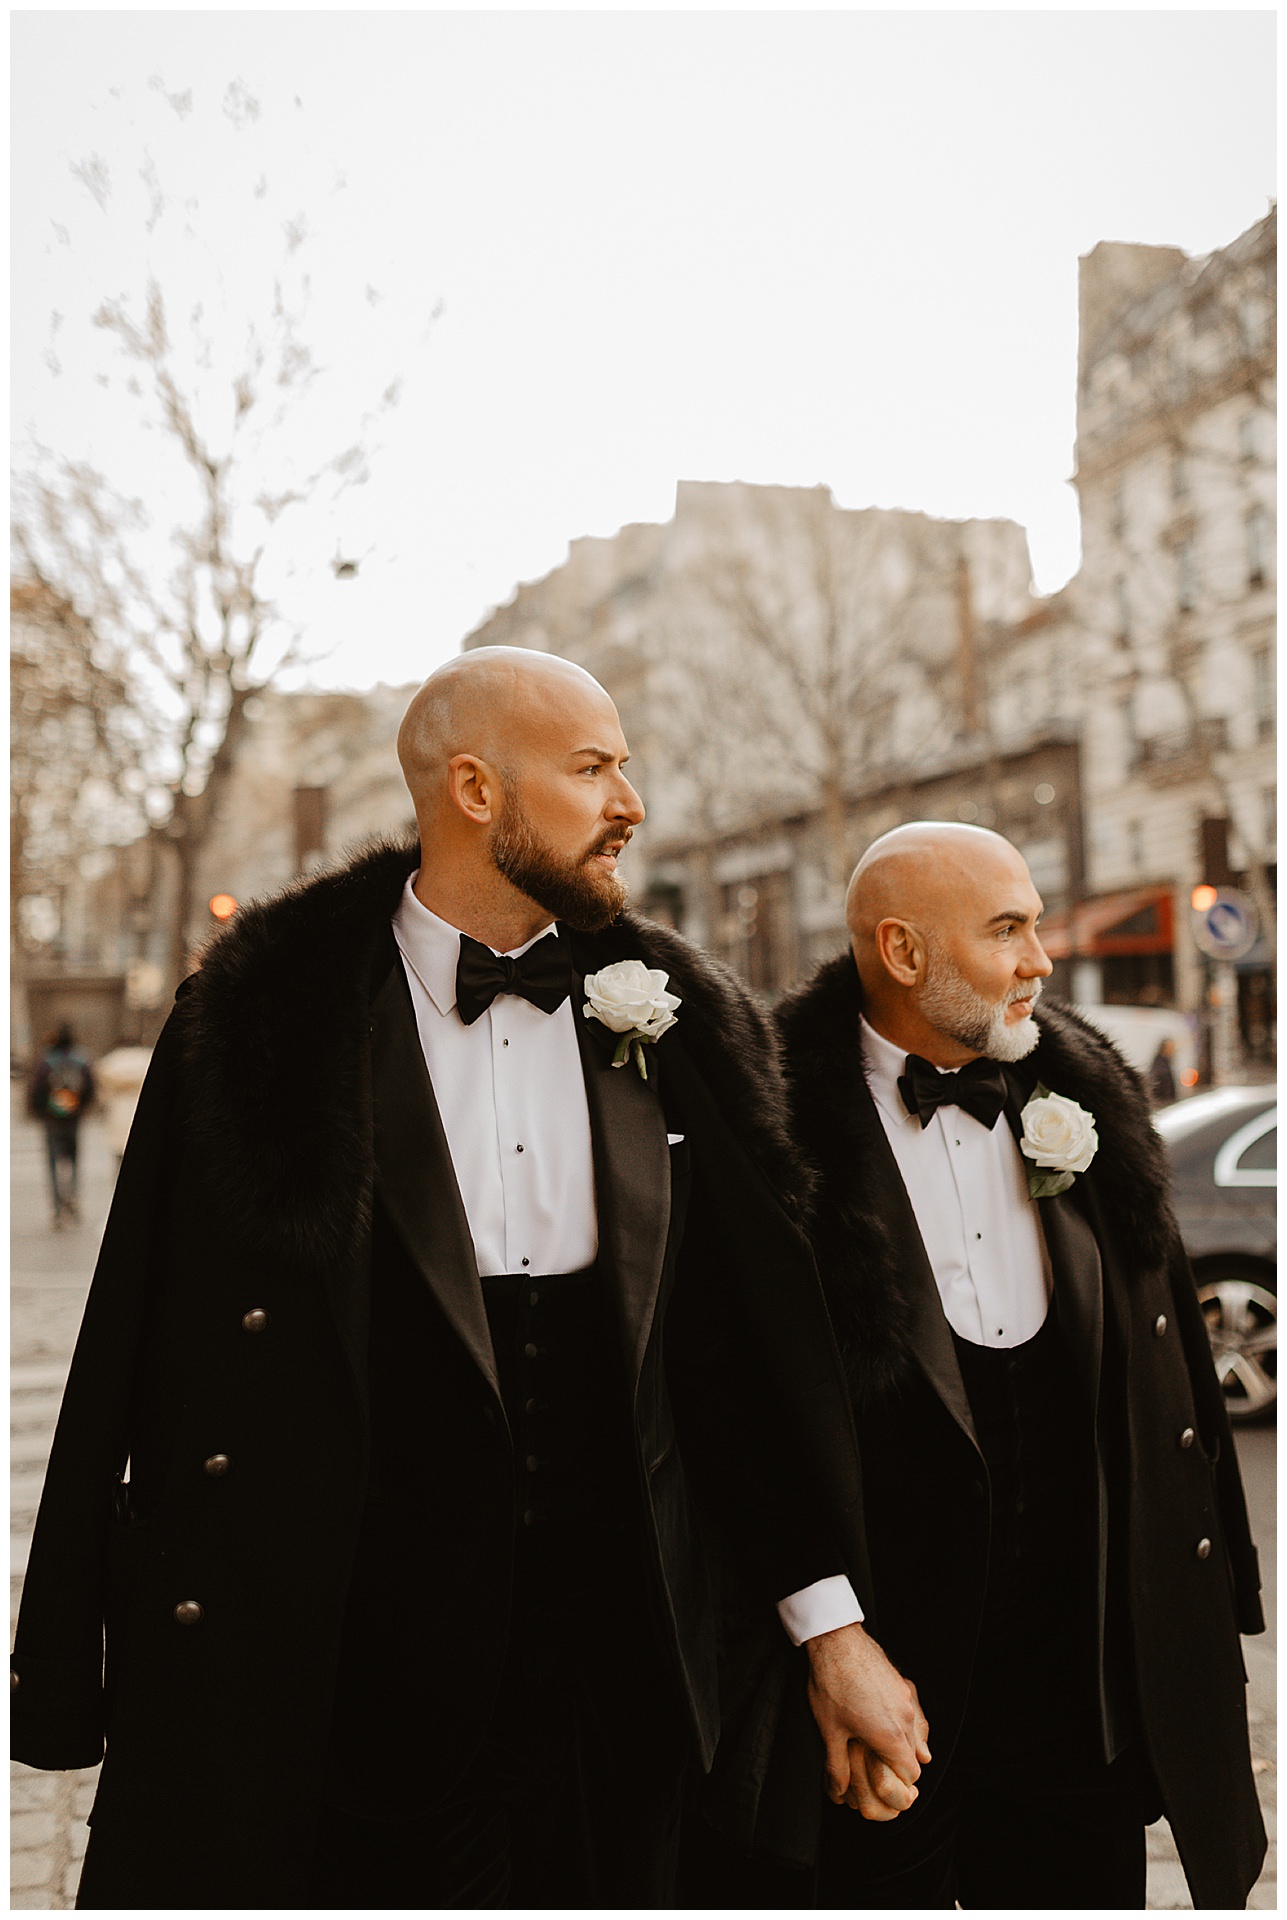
(289,1155)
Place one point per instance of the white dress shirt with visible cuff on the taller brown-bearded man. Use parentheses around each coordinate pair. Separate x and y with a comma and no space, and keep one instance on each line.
(527,1184)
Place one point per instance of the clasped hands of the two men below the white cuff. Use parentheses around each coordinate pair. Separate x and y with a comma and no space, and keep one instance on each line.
(858,1696)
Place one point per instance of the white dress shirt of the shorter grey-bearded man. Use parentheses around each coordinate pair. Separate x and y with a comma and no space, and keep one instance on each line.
(969,1189)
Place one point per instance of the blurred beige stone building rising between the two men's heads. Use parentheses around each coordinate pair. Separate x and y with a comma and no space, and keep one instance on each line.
(794,677)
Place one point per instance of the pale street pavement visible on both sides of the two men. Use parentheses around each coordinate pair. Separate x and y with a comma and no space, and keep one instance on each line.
(51,1276)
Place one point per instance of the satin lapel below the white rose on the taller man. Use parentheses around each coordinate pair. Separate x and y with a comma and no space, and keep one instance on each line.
(631,1180)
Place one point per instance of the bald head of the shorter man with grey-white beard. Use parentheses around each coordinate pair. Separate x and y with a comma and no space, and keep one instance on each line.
(944,926)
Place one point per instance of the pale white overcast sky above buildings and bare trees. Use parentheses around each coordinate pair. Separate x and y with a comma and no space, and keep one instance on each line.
(623,249)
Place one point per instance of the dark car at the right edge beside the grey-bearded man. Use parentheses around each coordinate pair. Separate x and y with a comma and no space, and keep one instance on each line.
(1225,1159)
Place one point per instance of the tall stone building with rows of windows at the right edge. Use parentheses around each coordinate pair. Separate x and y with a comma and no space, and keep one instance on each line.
(1177,606)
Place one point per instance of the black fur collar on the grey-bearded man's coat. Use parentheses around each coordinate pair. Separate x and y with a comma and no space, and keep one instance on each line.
(840,1134)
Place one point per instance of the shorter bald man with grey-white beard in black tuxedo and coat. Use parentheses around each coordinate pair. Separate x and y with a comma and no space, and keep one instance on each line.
(1056,1520)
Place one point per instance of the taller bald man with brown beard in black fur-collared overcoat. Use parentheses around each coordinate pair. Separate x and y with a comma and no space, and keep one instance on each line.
(452,1312)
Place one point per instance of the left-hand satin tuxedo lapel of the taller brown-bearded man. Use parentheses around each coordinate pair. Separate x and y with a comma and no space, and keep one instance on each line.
(414,1168)
